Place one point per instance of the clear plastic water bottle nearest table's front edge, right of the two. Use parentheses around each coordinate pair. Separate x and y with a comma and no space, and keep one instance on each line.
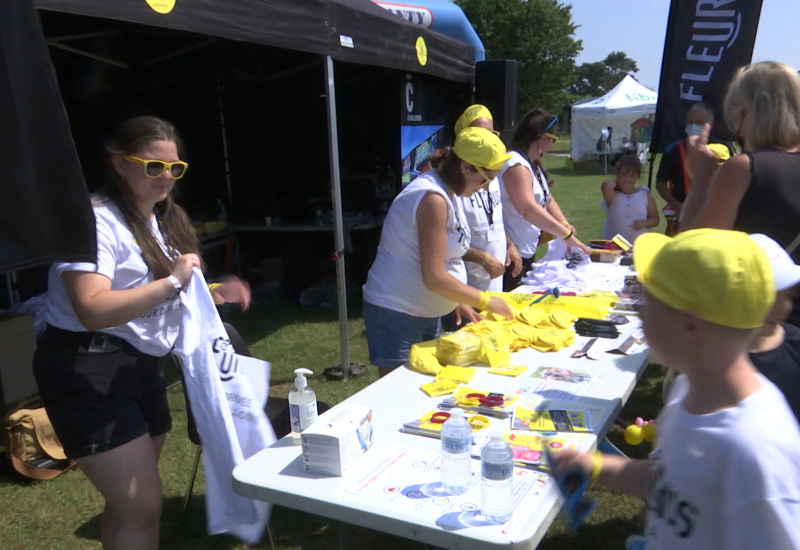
(497,479)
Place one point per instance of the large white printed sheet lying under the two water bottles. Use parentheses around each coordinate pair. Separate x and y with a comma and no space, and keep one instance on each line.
(407,482)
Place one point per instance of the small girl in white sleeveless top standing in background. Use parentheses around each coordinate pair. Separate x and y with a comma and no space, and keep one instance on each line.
(630,210)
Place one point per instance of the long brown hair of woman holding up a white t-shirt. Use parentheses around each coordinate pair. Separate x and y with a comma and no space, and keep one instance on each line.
(127,139)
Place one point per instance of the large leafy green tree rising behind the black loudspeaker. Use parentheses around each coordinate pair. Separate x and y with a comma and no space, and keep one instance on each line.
(537,33)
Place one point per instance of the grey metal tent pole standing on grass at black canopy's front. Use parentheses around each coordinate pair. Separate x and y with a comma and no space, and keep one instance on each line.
(336,197)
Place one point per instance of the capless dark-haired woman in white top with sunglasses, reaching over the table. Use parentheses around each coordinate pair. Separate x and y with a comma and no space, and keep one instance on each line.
(528,206)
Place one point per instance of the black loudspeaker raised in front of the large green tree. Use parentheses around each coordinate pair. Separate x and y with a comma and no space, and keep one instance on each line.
(496,88)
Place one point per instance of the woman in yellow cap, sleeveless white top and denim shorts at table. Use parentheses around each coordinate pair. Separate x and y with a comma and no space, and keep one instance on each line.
(419,273)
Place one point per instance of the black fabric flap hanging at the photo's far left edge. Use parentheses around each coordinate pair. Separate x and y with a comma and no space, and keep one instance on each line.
(45,214)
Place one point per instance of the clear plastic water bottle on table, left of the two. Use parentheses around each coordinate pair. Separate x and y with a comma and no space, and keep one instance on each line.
(456,459)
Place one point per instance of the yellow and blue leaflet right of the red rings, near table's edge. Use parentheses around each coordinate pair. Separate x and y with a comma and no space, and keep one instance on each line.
(545,415)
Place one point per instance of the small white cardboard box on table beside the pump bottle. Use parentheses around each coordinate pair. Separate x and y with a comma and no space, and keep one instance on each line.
(337,439)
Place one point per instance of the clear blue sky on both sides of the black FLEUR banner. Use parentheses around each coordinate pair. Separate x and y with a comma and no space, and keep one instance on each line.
(638,28)
